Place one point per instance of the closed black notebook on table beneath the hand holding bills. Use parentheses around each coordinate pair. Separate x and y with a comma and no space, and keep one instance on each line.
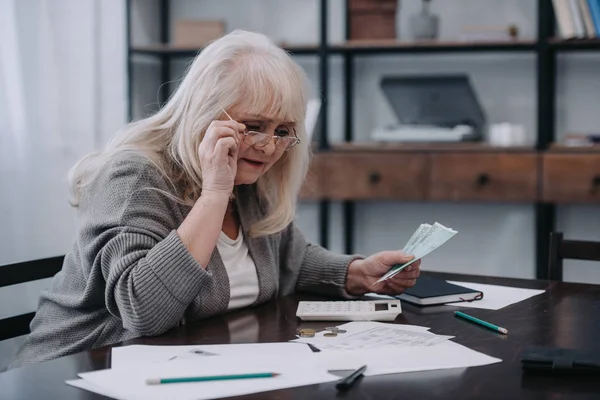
(433,291)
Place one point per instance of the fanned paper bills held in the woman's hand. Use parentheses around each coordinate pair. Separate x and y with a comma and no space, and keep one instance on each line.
(425,239)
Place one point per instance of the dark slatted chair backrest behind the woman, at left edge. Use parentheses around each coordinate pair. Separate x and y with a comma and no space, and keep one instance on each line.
(27,271)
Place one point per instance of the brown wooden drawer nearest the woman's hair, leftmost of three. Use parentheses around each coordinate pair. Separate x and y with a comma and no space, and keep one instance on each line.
(367,176)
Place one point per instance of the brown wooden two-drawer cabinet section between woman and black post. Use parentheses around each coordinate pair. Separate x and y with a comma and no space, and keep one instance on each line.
(424,175)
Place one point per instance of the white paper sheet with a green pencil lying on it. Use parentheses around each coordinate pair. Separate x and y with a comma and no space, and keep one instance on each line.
(131,384)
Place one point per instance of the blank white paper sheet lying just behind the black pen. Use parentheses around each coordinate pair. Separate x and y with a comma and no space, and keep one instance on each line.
(390,360)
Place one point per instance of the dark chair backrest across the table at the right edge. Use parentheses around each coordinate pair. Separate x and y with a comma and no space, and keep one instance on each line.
(561,249)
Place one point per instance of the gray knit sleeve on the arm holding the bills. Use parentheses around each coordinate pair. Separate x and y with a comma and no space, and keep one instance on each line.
(308,267)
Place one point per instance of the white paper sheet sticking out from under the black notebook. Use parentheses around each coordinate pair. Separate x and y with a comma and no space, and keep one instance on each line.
(495,297)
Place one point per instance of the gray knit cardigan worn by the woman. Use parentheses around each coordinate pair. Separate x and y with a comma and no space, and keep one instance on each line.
(129,275)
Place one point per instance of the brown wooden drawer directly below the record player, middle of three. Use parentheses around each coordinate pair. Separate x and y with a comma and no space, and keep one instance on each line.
(484,177)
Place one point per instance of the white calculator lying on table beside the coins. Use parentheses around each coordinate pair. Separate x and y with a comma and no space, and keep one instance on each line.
(353,310)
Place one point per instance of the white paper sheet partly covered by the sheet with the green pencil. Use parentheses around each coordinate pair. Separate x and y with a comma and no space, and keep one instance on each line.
(130,356)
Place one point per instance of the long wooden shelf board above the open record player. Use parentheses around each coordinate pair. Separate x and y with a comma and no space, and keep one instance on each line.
(393,47)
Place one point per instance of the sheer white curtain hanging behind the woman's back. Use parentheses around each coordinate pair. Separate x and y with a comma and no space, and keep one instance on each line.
(62,94)
